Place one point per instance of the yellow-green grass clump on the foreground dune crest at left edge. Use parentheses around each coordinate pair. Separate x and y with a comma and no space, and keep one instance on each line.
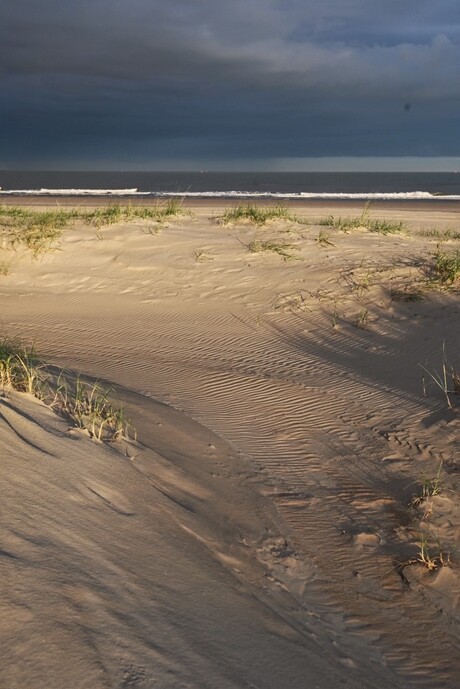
(87,405)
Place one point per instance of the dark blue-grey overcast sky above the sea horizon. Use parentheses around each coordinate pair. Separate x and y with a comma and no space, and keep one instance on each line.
(150,84)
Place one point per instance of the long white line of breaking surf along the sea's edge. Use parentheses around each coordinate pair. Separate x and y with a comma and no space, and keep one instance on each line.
(359,196)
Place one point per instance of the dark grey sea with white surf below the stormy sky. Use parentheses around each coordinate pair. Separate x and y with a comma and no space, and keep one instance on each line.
(421,186)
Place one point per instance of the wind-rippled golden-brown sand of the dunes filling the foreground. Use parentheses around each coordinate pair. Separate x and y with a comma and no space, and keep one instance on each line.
(251,536)
